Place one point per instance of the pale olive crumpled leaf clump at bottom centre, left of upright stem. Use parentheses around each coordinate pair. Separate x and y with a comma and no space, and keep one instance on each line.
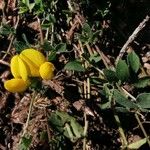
(66,125)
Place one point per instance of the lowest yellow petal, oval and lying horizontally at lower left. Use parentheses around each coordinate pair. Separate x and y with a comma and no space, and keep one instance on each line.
(16,85)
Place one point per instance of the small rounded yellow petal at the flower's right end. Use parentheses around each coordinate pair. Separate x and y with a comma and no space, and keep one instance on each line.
(47,70)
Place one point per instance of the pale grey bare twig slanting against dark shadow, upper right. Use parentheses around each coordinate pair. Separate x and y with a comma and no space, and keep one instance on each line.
(132,37)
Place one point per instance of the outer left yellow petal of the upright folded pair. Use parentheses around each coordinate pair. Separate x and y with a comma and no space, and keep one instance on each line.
(14,66)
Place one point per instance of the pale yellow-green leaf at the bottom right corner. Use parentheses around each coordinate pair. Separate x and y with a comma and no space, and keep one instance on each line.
(136,145)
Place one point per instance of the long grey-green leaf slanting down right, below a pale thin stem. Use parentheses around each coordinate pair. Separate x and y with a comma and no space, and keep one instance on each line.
(123,101)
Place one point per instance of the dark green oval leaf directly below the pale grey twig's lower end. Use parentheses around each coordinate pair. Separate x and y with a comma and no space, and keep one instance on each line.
(122,71)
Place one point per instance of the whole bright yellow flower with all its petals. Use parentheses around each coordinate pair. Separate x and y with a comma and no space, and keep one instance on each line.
(29,63)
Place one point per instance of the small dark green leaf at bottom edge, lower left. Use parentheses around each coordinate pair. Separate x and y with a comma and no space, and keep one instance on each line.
(25,143)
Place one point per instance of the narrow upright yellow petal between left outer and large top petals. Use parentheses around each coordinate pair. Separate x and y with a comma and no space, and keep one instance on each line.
(23,69)
